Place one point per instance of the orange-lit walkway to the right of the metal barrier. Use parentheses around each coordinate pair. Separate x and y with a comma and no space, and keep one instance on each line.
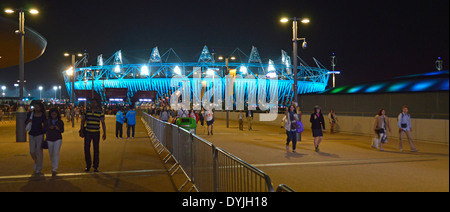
(345,162)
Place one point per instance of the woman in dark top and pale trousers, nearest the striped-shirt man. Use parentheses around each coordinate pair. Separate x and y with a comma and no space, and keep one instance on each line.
(54,137)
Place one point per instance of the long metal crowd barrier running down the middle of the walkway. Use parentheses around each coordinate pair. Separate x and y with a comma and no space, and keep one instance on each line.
(208,168)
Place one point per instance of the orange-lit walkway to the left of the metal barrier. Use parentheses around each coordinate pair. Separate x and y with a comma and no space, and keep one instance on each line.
(125,164)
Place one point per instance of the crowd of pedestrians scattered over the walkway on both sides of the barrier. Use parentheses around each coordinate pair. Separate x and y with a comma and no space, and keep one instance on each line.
(45,131)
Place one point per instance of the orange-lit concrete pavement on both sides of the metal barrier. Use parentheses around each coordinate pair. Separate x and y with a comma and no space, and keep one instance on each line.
(345,162)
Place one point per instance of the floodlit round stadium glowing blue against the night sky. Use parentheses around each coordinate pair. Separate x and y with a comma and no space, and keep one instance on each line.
(158,72)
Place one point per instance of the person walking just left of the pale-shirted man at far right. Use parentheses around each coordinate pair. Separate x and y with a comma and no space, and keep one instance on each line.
(381,128)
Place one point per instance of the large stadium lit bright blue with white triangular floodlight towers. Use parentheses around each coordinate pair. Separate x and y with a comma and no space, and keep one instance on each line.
(156,73)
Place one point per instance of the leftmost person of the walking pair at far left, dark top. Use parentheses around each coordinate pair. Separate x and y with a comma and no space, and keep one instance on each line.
(39,125)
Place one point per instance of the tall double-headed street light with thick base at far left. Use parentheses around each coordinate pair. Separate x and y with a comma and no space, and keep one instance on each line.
(21,114)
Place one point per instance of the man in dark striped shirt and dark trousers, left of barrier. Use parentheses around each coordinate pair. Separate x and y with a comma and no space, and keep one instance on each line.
(91,133)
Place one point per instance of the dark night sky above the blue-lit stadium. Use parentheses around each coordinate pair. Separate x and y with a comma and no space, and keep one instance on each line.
(373,40)
